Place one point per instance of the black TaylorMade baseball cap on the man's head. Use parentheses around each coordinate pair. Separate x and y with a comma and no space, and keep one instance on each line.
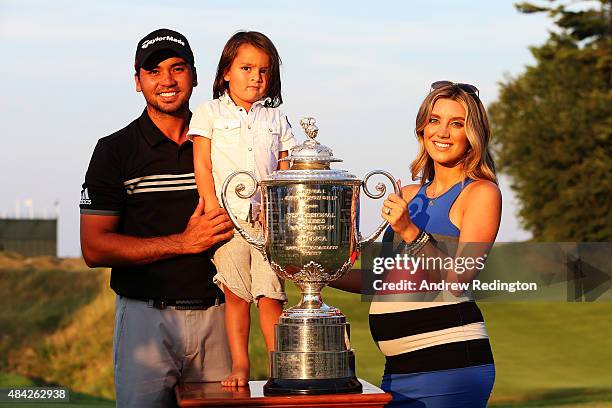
(168,41)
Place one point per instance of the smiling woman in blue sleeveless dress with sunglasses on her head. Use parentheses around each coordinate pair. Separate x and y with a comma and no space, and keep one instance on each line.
(437,350)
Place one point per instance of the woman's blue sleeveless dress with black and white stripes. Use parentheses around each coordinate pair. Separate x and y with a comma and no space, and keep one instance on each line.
(437,351)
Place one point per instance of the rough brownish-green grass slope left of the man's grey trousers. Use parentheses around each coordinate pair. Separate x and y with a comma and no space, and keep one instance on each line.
(58,328)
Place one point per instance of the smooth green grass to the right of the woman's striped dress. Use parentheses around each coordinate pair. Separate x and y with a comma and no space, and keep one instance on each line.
(551,350)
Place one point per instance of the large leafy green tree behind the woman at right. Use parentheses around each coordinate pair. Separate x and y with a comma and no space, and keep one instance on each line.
(552,125)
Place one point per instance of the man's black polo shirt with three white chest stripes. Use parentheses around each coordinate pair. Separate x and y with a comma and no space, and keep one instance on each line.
(148,181)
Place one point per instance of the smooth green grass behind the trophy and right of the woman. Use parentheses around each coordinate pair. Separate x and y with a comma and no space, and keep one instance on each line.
(549,354)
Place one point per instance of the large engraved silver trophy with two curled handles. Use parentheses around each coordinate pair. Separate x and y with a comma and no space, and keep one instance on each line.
(311,237)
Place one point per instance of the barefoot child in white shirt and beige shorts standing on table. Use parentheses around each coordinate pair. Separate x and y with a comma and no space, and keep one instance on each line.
(242,129)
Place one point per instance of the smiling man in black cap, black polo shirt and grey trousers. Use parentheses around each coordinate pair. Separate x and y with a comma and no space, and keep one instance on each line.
(137,216)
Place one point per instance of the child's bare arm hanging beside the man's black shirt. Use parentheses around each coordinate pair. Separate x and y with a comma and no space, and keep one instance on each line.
(203,172)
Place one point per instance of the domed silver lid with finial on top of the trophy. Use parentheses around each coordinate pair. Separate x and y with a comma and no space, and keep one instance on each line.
(310,160)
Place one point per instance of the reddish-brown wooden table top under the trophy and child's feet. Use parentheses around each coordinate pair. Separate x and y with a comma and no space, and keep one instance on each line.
(214,395)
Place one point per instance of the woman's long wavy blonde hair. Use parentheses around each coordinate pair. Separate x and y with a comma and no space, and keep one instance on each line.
(478,162)
